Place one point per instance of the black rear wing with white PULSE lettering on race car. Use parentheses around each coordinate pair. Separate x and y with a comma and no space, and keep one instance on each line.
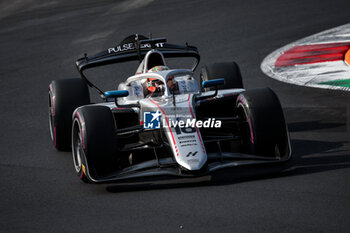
(134,48)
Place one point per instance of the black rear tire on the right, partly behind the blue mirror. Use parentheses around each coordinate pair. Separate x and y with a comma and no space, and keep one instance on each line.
(229,71)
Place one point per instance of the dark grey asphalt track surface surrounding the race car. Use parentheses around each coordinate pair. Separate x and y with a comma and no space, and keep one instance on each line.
(39,192)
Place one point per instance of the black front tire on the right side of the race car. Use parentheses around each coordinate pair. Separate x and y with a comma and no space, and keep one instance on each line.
(265,130)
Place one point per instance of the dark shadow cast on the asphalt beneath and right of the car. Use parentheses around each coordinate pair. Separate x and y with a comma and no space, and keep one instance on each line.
(309,156)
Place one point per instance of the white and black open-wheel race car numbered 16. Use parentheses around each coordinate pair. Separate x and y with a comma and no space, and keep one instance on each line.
(160,121)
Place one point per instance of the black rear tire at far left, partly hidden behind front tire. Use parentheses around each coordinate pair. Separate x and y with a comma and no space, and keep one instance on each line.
(65,96)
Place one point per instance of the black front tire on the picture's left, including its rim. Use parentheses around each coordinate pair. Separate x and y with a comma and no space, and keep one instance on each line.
(94,142)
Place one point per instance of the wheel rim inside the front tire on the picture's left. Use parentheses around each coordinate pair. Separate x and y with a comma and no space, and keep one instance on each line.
(77,147)
